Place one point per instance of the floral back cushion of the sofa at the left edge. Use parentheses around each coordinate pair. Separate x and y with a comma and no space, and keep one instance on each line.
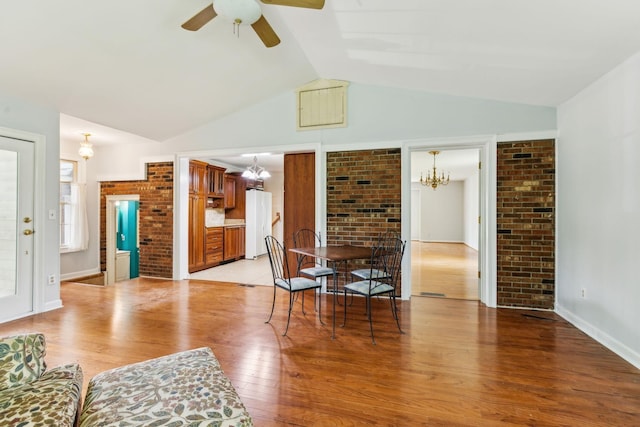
(21,359)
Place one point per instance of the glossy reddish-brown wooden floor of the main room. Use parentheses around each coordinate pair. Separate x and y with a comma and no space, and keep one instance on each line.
(459,363)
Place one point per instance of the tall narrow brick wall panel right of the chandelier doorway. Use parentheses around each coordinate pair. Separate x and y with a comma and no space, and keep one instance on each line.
(526,224)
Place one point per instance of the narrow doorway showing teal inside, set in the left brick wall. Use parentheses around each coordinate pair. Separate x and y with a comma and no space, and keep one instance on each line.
(123,237)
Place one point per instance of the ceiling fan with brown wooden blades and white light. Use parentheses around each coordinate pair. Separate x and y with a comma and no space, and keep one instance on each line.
(247,12)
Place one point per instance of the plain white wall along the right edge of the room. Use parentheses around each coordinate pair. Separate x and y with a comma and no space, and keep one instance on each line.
(598,220)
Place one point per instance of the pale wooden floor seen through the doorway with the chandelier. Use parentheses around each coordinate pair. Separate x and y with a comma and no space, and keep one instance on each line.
(445,270)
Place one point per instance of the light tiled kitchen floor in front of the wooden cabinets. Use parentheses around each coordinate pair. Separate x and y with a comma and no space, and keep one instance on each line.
(246,271)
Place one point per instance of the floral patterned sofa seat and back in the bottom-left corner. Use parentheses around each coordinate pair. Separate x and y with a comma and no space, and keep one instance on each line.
(31,395)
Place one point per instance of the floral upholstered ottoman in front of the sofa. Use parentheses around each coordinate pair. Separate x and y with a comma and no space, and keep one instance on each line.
(181,389)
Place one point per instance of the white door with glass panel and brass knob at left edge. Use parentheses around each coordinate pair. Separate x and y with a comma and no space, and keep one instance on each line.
(16,227)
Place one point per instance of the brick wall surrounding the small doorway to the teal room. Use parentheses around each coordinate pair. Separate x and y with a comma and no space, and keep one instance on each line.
(156,218)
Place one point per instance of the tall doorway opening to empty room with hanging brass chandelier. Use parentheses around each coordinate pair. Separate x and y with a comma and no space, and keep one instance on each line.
(444,225)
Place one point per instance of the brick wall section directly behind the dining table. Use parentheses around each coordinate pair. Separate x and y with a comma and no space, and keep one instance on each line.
(363,195)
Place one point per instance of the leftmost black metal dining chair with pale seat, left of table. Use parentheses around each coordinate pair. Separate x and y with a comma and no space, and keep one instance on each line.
(282,279)
